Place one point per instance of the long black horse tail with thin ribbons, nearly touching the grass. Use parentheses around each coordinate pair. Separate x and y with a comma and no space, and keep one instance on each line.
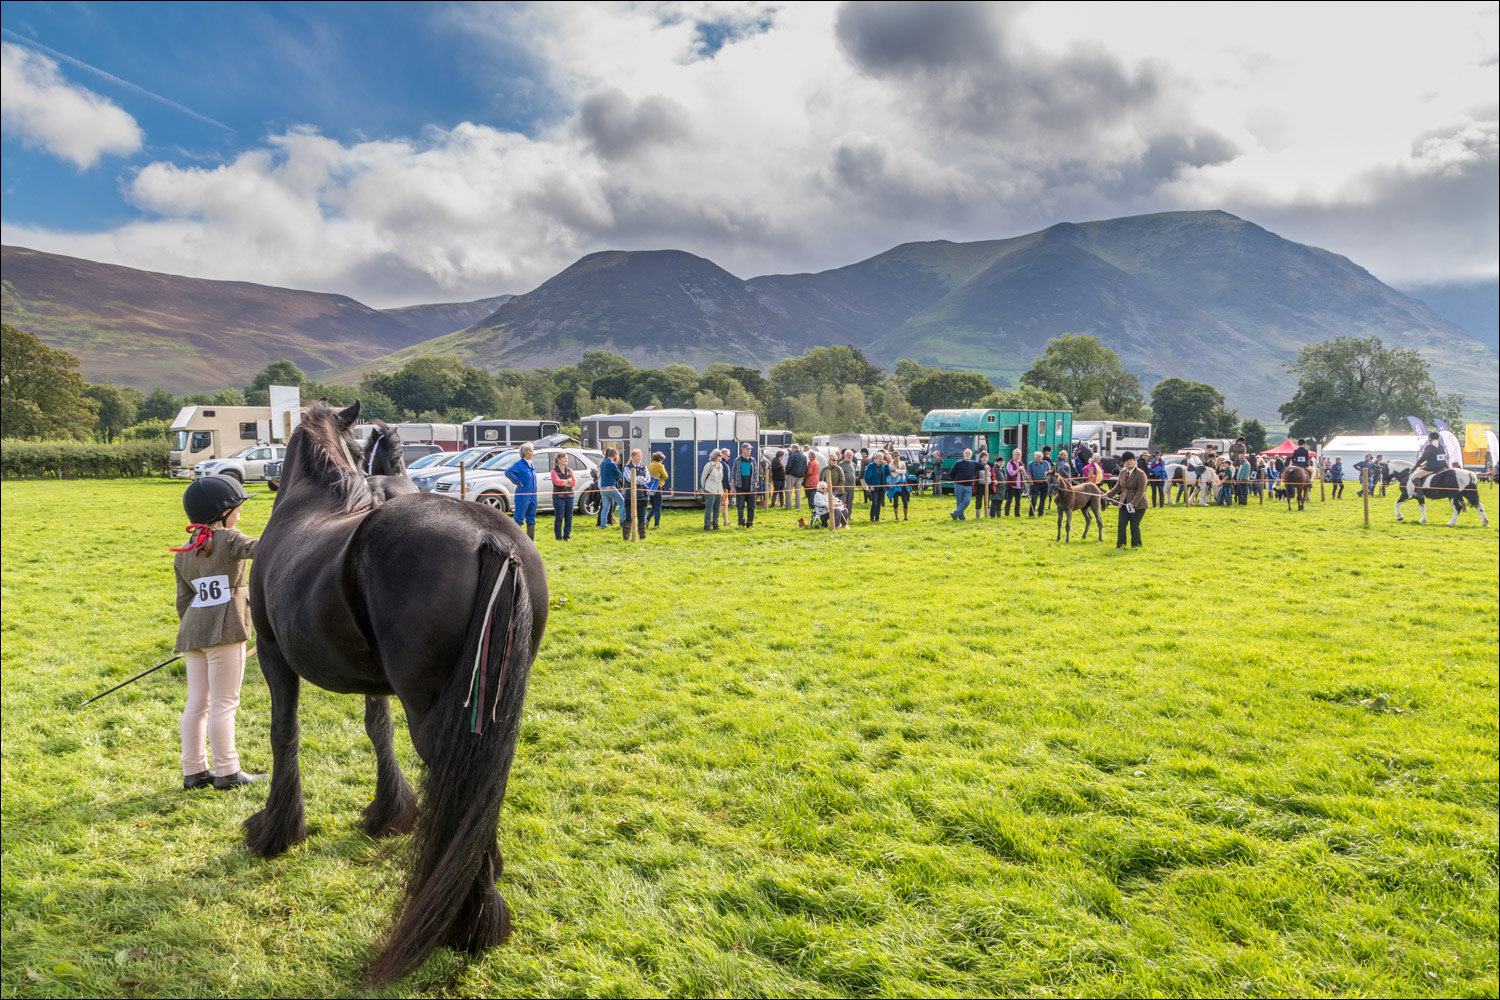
(469,741)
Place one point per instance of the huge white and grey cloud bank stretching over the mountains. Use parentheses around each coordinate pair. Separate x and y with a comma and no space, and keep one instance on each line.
(794,149)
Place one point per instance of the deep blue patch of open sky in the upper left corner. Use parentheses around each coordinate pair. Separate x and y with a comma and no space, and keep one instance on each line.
(355,71)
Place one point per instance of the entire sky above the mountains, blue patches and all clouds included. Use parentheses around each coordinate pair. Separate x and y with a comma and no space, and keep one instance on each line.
(454,151)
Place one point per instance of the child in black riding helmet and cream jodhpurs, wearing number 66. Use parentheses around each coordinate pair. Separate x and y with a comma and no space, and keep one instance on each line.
(215,609)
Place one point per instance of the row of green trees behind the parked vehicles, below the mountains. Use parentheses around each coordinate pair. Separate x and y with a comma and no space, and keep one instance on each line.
(1345,385)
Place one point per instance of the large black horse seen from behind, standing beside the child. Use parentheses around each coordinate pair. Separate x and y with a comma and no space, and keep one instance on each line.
(437,602)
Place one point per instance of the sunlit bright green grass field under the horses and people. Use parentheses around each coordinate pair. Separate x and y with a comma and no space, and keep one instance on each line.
(910,759)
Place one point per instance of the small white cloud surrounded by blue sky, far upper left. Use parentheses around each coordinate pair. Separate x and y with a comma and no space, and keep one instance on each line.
(67,121)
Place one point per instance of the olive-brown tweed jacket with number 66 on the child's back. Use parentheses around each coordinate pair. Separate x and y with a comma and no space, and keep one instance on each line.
(212,597)
